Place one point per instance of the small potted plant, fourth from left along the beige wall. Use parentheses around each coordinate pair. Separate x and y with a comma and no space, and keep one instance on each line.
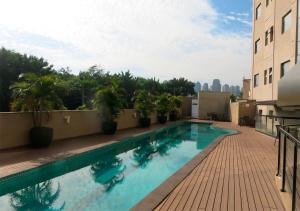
(162,108)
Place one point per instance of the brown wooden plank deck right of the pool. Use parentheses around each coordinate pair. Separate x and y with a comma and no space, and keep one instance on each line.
(238,175)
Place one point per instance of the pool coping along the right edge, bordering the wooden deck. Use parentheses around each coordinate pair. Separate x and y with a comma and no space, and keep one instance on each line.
(153,199)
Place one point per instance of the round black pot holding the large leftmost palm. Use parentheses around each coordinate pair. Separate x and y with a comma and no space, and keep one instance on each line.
(41,136)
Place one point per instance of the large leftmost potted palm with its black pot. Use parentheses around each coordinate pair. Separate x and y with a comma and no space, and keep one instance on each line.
(37,94)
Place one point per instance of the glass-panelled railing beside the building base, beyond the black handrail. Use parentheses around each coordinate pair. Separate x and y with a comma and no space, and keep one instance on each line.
(267,123)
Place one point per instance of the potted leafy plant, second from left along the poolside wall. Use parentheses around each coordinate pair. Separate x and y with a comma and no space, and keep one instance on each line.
(109,103)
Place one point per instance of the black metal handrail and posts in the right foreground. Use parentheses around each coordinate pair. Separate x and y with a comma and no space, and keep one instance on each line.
(287,136)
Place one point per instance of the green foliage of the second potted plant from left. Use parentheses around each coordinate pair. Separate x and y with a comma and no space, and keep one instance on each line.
(109,102)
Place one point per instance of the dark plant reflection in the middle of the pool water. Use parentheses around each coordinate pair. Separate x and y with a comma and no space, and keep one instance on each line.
(108,171)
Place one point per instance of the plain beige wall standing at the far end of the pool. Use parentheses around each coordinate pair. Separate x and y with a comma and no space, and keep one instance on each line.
(213,102)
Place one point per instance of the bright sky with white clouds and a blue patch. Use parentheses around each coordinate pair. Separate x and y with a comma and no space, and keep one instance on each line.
(196,39)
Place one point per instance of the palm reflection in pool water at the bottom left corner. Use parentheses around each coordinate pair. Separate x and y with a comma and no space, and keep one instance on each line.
(37,197)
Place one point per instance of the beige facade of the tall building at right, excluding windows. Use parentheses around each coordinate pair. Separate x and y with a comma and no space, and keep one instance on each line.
(283,47)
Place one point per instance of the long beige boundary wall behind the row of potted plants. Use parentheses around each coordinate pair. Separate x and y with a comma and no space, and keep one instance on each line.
(15,126)
